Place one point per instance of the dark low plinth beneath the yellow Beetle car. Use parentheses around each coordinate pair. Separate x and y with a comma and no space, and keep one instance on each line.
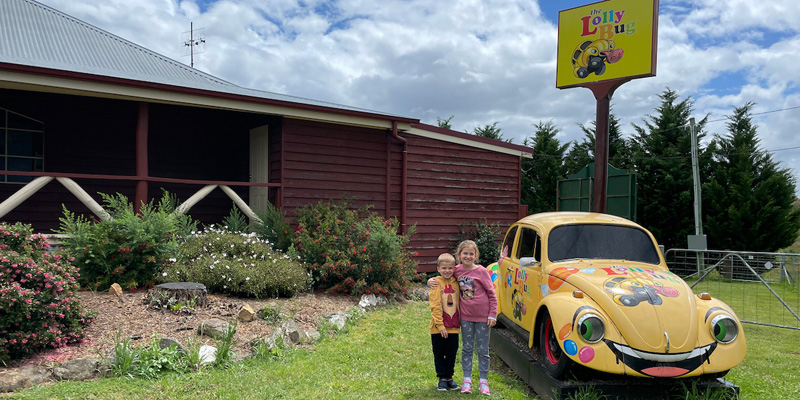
(531,371)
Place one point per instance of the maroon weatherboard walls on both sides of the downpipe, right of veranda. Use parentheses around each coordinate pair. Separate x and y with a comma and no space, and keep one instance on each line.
(447,184)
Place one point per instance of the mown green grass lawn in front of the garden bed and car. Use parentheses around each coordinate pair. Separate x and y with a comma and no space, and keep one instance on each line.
(387,355)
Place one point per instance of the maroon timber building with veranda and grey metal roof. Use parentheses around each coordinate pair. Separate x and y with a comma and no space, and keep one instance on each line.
(87,112)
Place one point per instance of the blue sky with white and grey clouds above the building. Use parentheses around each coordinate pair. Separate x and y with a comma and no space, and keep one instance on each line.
(480,61)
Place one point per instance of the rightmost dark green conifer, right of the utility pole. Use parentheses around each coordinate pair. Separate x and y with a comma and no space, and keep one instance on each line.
(748,202)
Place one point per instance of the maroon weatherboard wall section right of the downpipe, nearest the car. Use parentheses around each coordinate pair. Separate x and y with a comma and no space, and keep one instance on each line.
(451,184)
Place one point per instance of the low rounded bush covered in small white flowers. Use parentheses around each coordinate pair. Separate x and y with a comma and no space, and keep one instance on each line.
(238,264)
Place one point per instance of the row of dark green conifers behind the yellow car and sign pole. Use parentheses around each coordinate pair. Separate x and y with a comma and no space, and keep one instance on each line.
(747,197)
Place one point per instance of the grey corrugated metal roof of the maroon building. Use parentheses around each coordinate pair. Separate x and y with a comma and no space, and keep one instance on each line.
(33,34)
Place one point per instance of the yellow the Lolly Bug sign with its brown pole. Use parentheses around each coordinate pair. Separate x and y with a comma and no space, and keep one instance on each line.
(600,47)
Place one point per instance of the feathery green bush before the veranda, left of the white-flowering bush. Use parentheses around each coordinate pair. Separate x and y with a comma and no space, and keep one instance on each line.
(128,249)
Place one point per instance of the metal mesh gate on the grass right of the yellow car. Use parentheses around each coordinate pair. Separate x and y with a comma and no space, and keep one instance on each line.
(762,288)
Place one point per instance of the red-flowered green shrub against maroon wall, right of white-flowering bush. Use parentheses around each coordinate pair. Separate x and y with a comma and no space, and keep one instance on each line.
(353,251)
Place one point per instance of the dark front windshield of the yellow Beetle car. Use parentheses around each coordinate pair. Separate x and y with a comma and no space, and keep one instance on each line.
(612,242)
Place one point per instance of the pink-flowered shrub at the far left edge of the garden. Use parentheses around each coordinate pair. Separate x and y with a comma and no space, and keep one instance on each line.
(37,304)
